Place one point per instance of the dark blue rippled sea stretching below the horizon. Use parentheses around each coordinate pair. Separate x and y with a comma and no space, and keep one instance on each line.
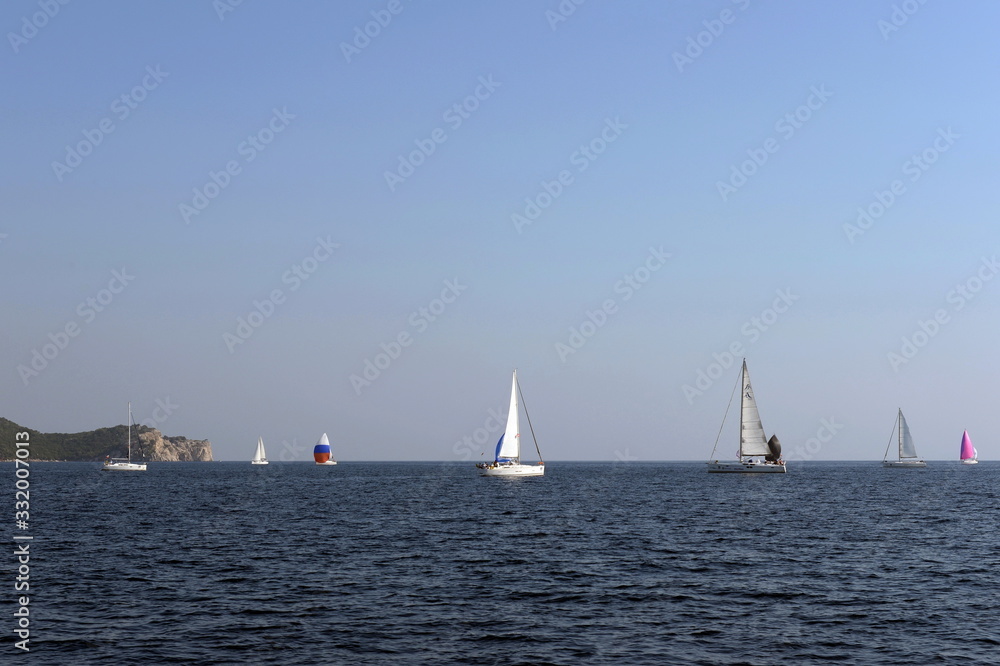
(596,563)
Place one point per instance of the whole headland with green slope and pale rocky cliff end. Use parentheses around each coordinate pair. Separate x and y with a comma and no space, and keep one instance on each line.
(148,444)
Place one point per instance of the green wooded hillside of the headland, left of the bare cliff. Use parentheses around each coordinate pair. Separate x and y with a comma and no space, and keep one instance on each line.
(80,446)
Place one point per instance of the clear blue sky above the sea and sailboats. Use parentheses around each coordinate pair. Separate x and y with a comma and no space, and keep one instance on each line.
(310,117)
